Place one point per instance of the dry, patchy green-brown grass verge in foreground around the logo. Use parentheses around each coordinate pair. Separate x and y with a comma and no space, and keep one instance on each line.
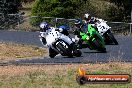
(62,76)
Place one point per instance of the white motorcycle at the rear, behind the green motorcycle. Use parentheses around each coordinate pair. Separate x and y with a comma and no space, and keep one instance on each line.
(105,31)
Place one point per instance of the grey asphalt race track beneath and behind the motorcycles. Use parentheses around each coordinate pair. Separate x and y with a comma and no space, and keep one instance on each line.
(121,52)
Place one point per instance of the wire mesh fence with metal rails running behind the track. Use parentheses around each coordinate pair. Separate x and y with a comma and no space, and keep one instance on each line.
(25,23)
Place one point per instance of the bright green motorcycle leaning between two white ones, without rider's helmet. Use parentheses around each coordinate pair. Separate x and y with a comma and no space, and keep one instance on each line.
(93,39)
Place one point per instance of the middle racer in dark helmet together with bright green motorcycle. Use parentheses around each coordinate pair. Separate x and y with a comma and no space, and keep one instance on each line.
(88,32)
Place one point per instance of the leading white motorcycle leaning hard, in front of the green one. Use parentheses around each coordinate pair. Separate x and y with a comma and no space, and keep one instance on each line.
(59,43)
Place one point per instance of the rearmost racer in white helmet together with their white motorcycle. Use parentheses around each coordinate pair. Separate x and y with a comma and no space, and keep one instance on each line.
(101,26)
